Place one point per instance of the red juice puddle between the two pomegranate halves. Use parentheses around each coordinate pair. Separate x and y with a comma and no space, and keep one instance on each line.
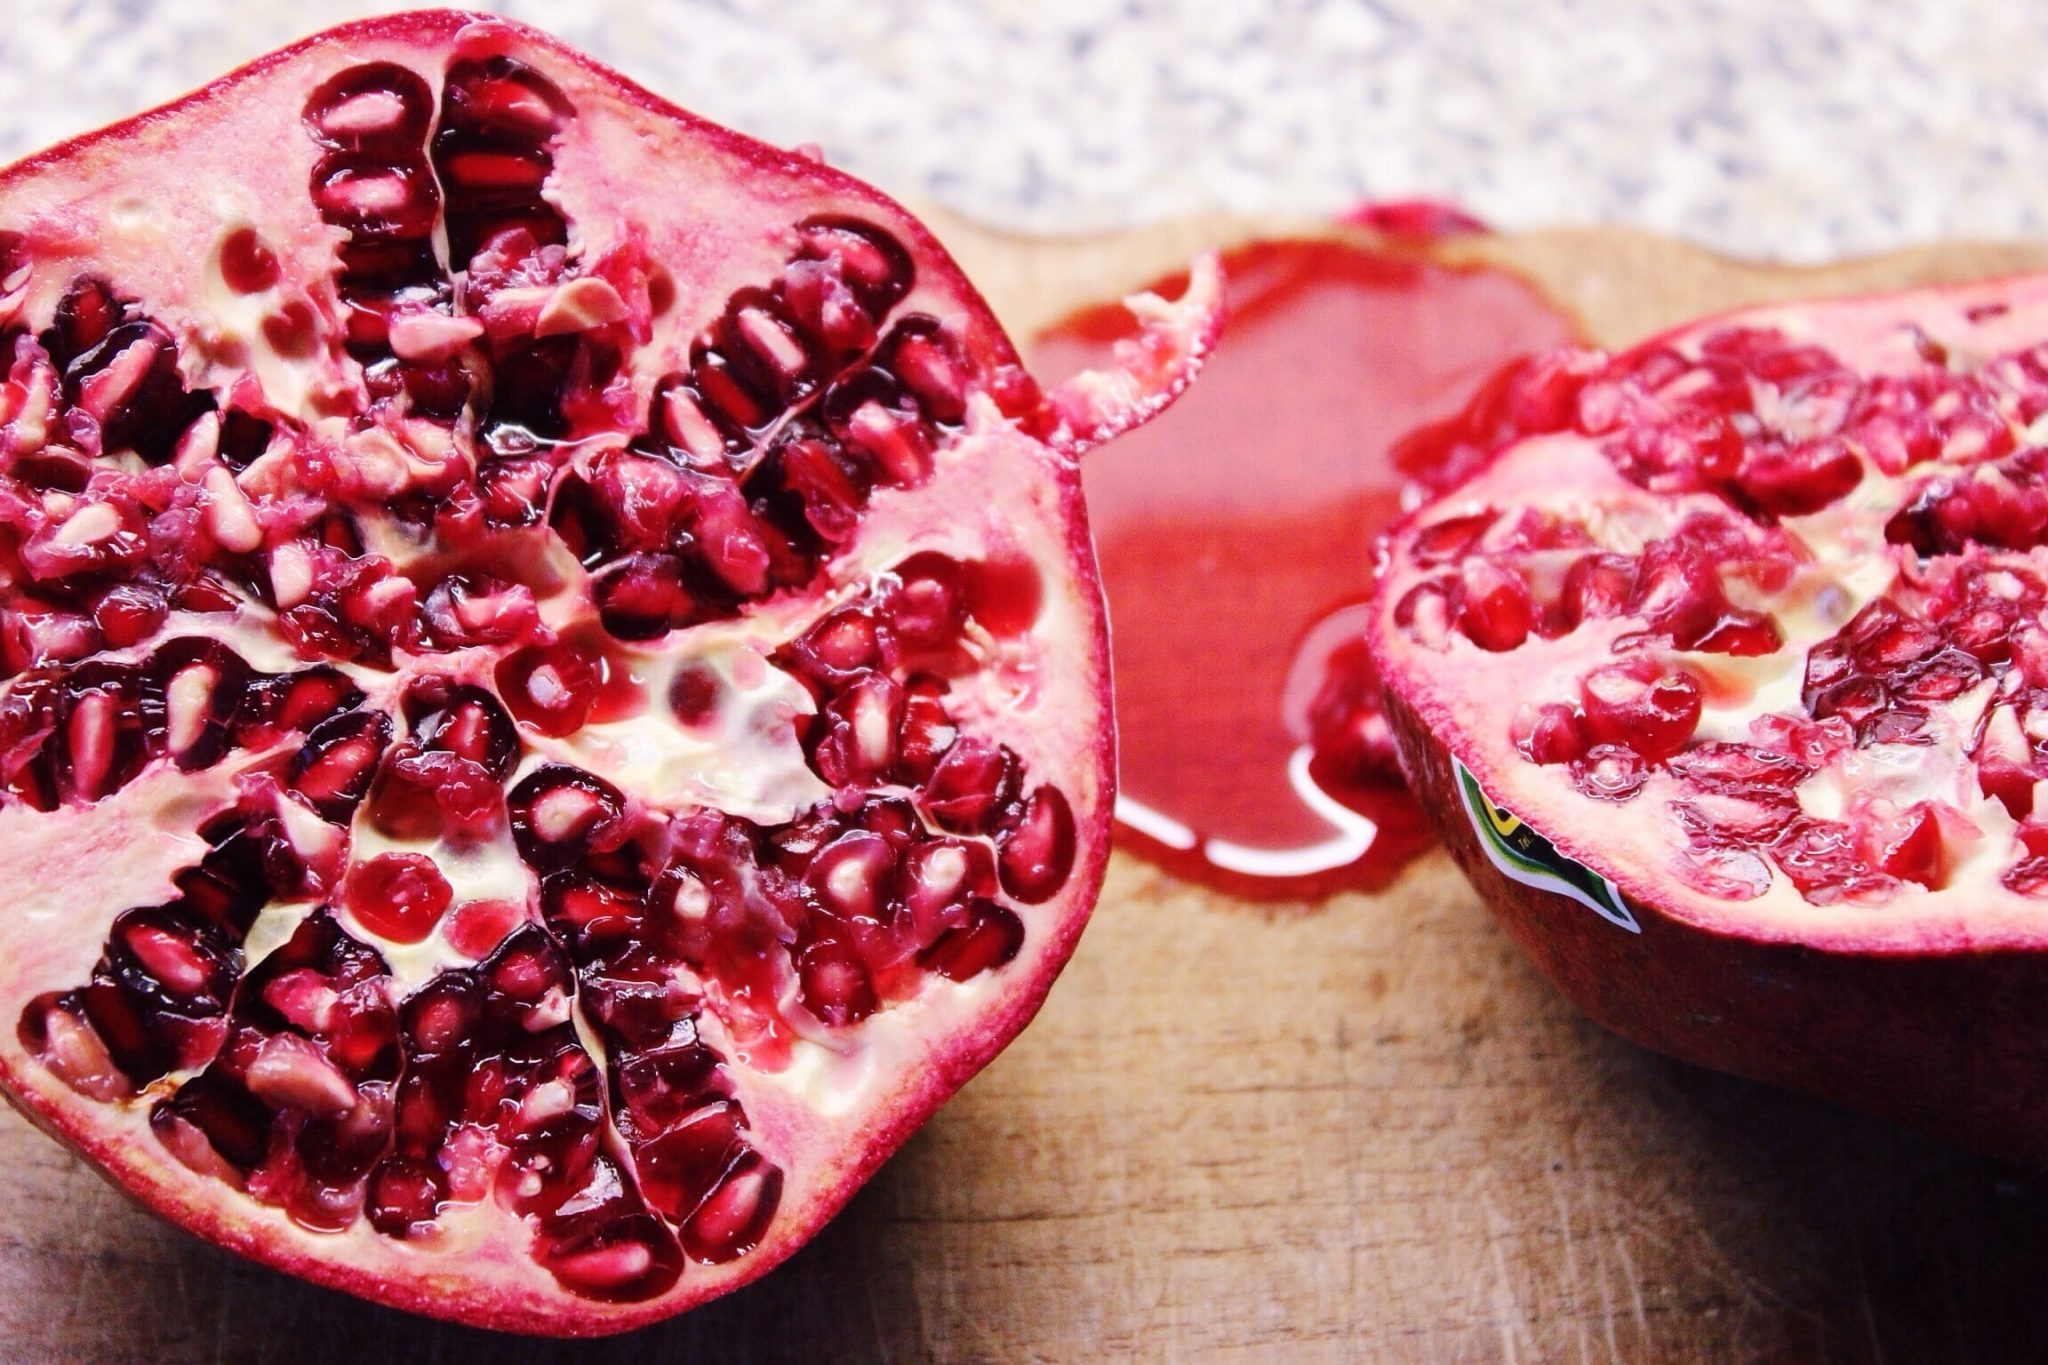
(1236,539)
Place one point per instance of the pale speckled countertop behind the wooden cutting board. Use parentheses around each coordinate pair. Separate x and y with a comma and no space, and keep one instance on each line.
(1768,128)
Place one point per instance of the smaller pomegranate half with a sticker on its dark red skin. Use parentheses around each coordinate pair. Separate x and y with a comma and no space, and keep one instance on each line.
(1727,685)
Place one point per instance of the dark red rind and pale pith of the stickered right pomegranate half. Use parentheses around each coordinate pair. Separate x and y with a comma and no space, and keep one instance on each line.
(1914,1006)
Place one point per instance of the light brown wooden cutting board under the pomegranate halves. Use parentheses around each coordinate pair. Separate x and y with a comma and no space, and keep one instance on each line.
(1345,1131)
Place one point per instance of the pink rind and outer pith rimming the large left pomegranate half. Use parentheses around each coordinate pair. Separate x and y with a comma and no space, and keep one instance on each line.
(1031,502)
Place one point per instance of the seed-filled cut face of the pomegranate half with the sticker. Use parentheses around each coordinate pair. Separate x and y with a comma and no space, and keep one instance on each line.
(1854,492)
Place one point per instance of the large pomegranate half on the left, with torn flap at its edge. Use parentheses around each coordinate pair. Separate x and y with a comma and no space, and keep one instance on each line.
(554,680)
